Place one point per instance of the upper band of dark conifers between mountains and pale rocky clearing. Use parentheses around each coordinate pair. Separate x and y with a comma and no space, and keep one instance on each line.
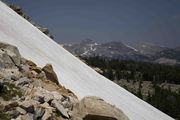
(133,70)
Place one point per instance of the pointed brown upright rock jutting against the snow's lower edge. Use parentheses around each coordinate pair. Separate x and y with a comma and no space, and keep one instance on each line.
(50,74)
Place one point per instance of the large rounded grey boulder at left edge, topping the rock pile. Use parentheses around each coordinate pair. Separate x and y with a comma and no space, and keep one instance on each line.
(9,56)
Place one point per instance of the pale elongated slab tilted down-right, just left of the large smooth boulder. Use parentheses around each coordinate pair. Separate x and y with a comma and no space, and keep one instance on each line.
(60,108)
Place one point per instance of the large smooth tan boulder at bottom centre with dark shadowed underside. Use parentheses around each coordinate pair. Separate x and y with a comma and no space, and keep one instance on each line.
(97,109)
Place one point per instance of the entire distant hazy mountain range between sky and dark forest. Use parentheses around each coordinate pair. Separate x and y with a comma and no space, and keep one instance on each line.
(118,50)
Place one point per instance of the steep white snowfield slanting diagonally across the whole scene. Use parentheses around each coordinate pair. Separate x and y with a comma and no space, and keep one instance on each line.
(72,73)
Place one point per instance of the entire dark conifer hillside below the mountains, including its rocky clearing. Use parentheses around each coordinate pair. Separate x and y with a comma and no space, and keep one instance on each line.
(141,75)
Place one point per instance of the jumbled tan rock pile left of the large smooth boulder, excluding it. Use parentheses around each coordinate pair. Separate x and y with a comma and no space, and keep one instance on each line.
(28,92)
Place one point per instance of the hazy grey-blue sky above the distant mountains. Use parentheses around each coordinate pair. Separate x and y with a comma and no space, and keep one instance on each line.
(129,21)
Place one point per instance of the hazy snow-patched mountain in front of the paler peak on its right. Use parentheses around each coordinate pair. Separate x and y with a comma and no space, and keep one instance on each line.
(115,50)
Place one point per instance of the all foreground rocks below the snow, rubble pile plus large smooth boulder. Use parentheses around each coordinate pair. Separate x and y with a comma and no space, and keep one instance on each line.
(28,92)
